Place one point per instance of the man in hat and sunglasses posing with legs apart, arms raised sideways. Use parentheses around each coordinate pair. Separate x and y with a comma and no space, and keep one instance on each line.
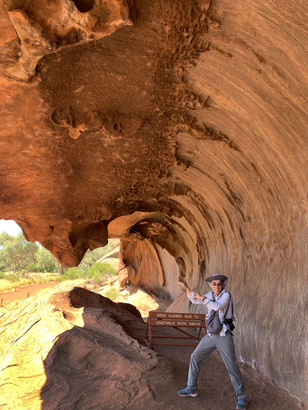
(219,300)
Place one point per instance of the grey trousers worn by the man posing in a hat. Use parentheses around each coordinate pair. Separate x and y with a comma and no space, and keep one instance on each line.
(225,347)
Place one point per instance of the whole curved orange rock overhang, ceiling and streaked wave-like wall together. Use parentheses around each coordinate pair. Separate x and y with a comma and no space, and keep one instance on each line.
(180,127)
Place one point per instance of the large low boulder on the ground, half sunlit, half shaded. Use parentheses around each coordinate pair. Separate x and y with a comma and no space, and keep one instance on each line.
(74,347)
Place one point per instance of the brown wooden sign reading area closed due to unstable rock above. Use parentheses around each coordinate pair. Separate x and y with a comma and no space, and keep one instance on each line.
(176,321)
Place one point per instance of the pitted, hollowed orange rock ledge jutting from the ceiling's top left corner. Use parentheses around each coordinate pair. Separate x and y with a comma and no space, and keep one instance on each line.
(43,27)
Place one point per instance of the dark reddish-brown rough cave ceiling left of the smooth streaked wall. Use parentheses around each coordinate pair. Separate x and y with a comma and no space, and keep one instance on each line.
(93,102)
